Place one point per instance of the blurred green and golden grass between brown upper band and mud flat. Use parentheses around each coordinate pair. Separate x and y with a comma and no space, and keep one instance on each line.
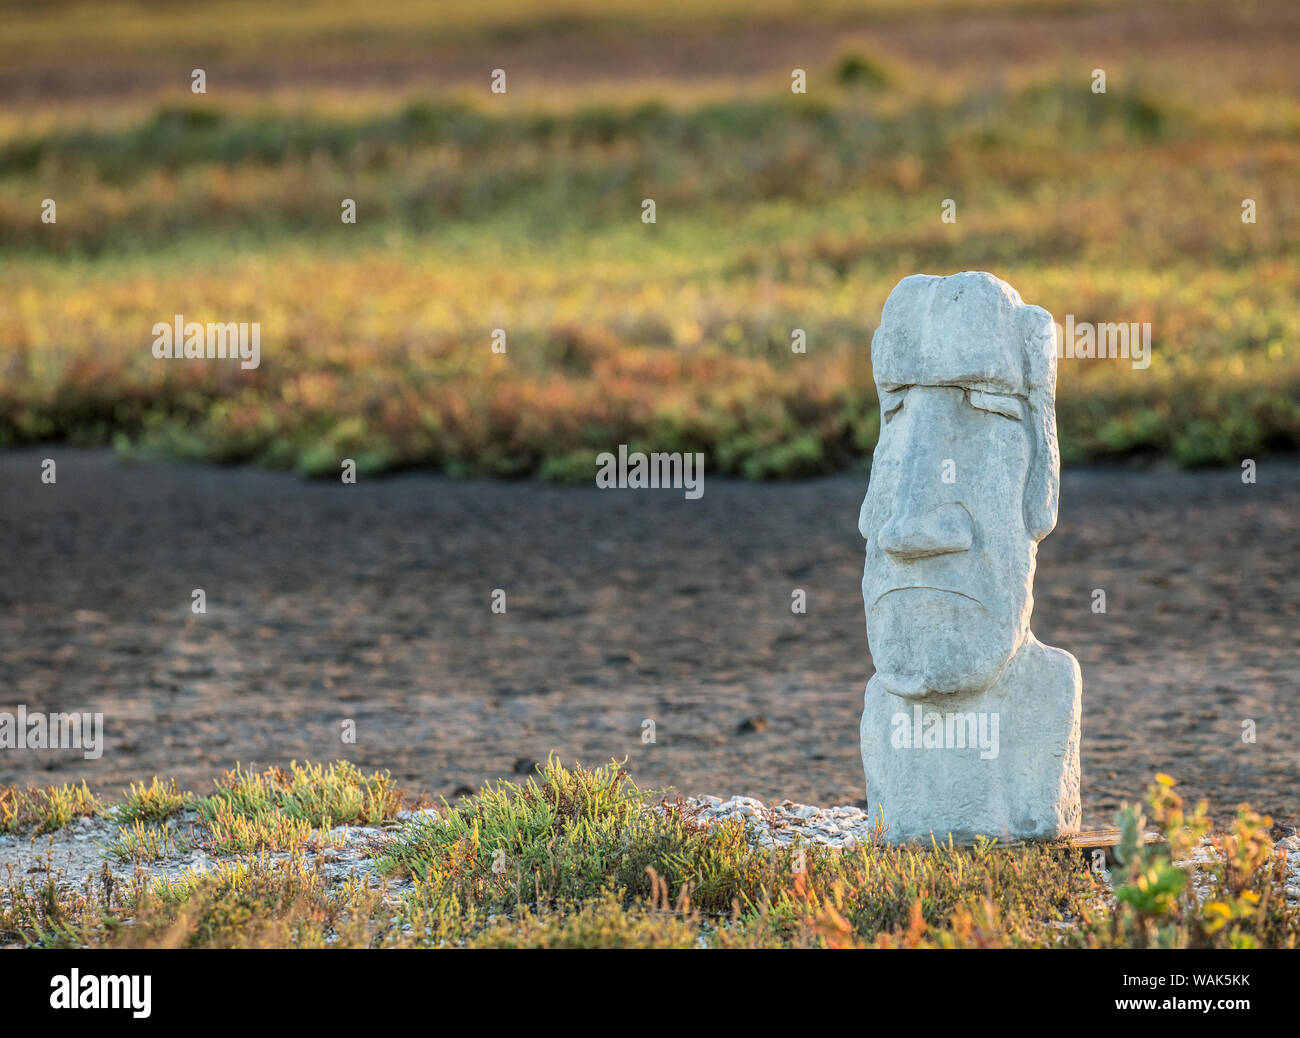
(774,213)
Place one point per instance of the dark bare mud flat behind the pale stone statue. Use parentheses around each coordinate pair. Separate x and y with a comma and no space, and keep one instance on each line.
(371,603)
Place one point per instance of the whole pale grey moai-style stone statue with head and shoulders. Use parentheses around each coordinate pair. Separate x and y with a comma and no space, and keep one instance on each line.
(970,724)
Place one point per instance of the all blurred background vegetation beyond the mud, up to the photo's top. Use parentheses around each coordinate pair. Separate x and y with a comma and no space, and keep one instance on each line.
(523,211)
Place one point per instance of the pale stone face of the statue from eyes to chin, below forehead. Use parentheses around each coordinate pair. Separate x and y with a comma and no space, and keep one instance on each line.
(950,564)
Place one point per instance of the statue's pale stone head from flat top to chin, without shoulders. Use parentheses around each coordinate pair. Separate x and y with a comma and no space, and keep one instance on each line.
(950,570)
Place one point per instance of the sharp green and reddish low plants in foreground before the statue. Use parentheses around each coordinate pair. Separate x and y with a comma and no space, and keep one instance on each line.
(579,858)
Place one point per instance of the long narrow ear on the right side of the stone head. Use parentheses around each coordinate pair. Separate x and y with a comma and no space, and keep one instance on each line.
(1043,483)
